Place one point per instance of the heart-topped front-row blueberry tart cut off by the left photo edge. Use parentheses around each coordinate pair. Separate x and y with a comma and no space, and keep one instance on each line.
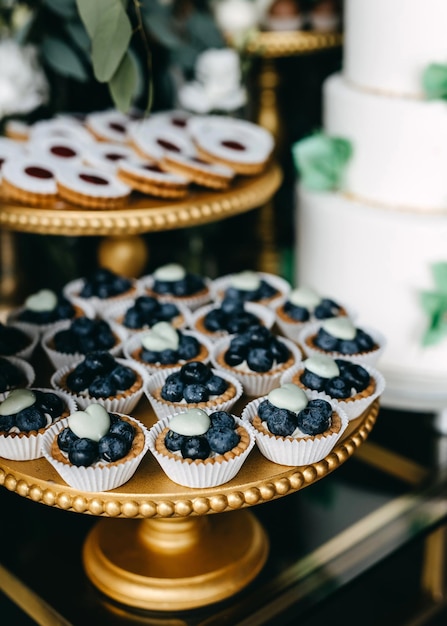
(25,416)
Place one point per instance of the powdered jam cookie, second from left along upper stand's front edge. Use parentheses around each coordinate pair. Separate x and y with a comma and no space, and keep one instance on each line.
(91,188)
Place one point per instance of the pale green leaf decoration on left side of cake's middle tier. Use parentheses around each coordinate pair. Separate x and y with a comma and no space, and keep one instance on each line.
(321,160)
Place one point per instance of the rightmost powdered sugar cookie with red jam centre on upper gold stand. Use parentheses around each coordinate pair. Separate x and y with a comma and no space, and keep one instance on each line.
(239,144)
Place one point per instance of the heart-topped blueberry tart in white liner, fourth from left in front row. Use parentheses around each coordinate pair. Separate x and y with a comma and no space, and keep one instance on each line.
(293,427)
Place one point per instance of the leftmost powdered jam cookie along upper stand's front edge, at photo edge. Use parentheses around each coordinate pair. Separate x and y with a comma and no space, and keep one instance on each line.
(29,180)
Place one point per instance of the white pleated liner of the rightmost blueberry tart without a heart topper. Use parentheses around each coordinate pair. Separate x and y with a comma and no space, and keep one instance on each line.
(255,383)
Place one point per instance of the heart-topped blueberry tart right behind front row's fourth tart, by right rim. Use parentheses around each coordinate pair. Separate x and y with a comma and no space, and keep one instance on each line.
(353,386)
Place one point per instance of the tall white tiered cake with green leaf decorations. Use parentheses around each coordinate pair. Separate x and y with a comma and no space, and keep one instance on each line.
(373,242)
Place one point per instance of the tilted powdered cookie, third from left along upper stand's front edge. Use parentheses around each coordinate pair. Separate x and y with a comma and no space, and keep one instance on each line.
(148,177)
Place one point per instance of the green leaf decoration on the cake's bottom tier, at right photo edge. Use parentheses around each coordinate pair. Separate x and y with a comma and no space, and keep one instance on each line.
(434,304)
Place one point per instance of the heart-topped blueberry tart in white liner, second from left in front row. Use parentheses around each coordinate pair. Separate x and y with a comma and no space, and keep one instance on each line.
(96,450)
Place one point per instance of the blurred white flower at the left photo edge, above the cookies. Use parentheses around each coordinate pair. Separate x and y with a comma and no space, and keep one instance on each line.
(23,85)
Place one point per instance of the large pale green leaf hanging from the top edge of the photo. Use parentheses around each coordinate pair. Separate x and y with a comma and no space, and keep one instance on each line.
(110,30)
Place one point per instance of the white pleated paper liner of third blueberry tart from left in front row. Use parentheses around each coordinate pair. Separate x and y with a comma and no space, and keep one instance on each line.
(199,475)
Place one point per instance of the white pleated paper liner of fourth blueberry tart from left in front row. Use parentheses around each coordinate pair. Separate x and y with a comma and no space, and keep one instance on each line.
(294,452)
